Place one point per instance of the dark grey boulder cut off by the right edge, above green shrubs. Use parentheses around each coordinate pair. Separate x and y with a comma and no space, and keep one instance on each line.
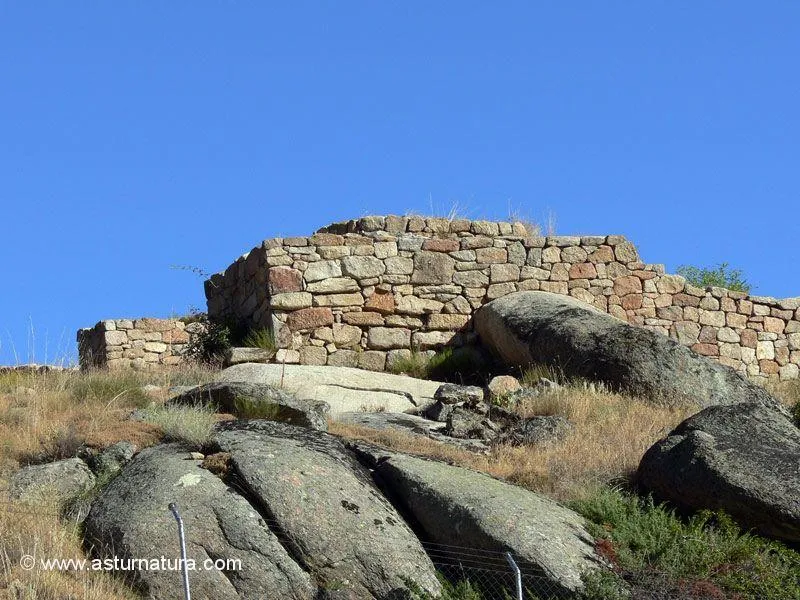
(743,459)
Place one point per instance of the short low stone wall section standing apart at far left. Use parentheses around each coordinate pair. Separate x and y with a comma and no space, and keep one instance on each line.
(134,343)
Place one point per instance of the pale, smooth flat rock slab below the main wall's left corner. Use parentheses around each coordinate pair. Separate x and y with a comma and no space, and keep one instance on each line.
(345,389)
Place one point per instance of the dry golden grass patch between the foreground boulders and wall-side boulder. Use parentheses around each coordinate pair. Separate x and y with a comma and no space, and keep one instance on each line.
(611,433)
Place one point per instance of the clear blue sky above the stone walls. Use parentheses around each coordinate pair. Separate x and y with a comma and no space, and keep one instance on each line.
(135,136)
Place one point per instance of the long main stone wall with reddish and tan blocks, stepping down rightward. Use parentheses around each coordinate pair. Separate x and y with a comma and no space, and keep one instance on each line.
(366,292)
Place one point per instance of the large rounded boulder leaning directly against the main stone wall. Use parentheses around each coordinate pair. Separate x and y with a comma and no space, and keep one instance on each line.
(540,327)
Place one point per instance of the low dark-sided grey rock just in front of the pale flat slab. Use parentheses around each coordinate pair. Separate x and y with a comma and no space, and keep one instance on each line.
(250,400)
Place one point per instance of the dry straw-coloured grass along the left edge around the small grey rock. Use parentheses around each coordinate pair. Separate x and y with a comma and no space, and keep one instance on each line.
(48,416)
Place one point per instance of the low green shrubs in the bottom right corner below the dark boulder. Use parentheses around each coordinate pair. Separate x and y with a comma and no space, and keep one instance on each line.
(706,550)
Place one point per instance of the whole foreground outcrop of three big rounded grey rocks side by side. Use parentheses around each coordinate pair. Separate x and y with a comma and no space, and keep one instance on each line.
(313,519)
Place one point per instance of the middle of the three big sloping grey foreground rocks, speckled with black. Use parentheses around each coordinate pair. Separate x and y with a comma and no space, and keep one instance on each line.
(343,530)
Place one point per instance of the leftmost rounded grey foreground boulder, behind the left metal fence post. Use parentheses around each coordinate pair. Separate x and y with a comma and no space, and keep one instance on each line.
(130,520)
